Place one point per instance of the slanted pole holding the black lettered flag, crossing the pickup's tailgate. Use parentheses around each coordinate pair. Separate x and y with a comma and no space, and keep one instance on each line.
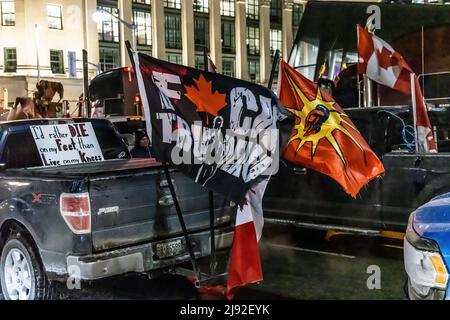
(194,263)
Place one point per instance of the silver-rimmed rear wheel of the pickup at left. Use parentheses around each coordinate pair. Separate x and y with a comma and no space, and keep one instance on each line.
(22,276)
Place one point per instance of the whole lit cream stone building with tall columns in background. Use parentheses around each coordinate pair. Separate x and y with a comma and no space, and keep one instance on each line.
(42,39)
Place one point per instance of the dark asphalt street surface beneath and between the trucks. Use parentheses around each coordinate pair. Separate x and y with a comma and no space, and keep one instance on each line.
(297,264)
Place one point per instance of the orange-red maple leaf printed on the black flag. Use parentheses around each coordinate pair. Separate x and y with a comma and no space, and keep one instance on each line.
(202,95)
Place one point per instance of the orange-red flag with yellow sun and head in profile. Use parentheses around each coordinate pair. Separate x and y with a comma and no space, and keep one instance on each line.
(324,138)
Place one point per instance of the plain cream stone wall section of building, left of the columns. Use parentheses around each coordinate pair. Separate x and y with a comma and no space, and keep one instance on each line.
(47,34)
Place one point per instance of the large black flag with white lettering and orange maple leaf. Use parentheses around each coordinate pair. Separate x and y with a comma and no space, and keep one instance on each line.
(220,131)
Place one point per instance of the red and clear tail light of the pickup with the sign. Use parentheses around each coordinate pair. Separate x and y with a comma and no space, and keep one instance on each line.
(75,208)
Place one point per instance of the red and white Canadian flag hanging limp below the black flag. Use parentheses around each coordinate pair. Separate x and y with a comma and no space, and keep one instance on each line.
(245,263)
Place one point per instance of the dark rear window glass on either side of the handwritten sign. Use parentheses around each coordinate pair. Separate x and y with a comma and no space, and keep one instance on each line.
(21,152)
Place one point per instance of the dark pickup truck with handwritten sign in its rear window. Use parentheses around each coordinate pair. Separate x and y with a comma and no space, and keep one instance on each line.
(94,219)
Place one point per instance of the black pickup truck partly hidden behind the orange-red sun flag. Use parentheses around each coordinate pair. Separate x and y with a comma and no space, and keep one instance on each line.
(302,197)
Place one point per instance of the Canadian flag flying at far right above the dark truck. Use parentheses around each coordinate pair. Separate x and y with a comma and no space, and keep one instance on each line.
(381,63)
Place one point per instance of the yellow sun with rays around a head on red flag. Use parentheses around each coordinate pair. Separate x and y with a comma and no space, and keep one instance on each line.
(318,119)
